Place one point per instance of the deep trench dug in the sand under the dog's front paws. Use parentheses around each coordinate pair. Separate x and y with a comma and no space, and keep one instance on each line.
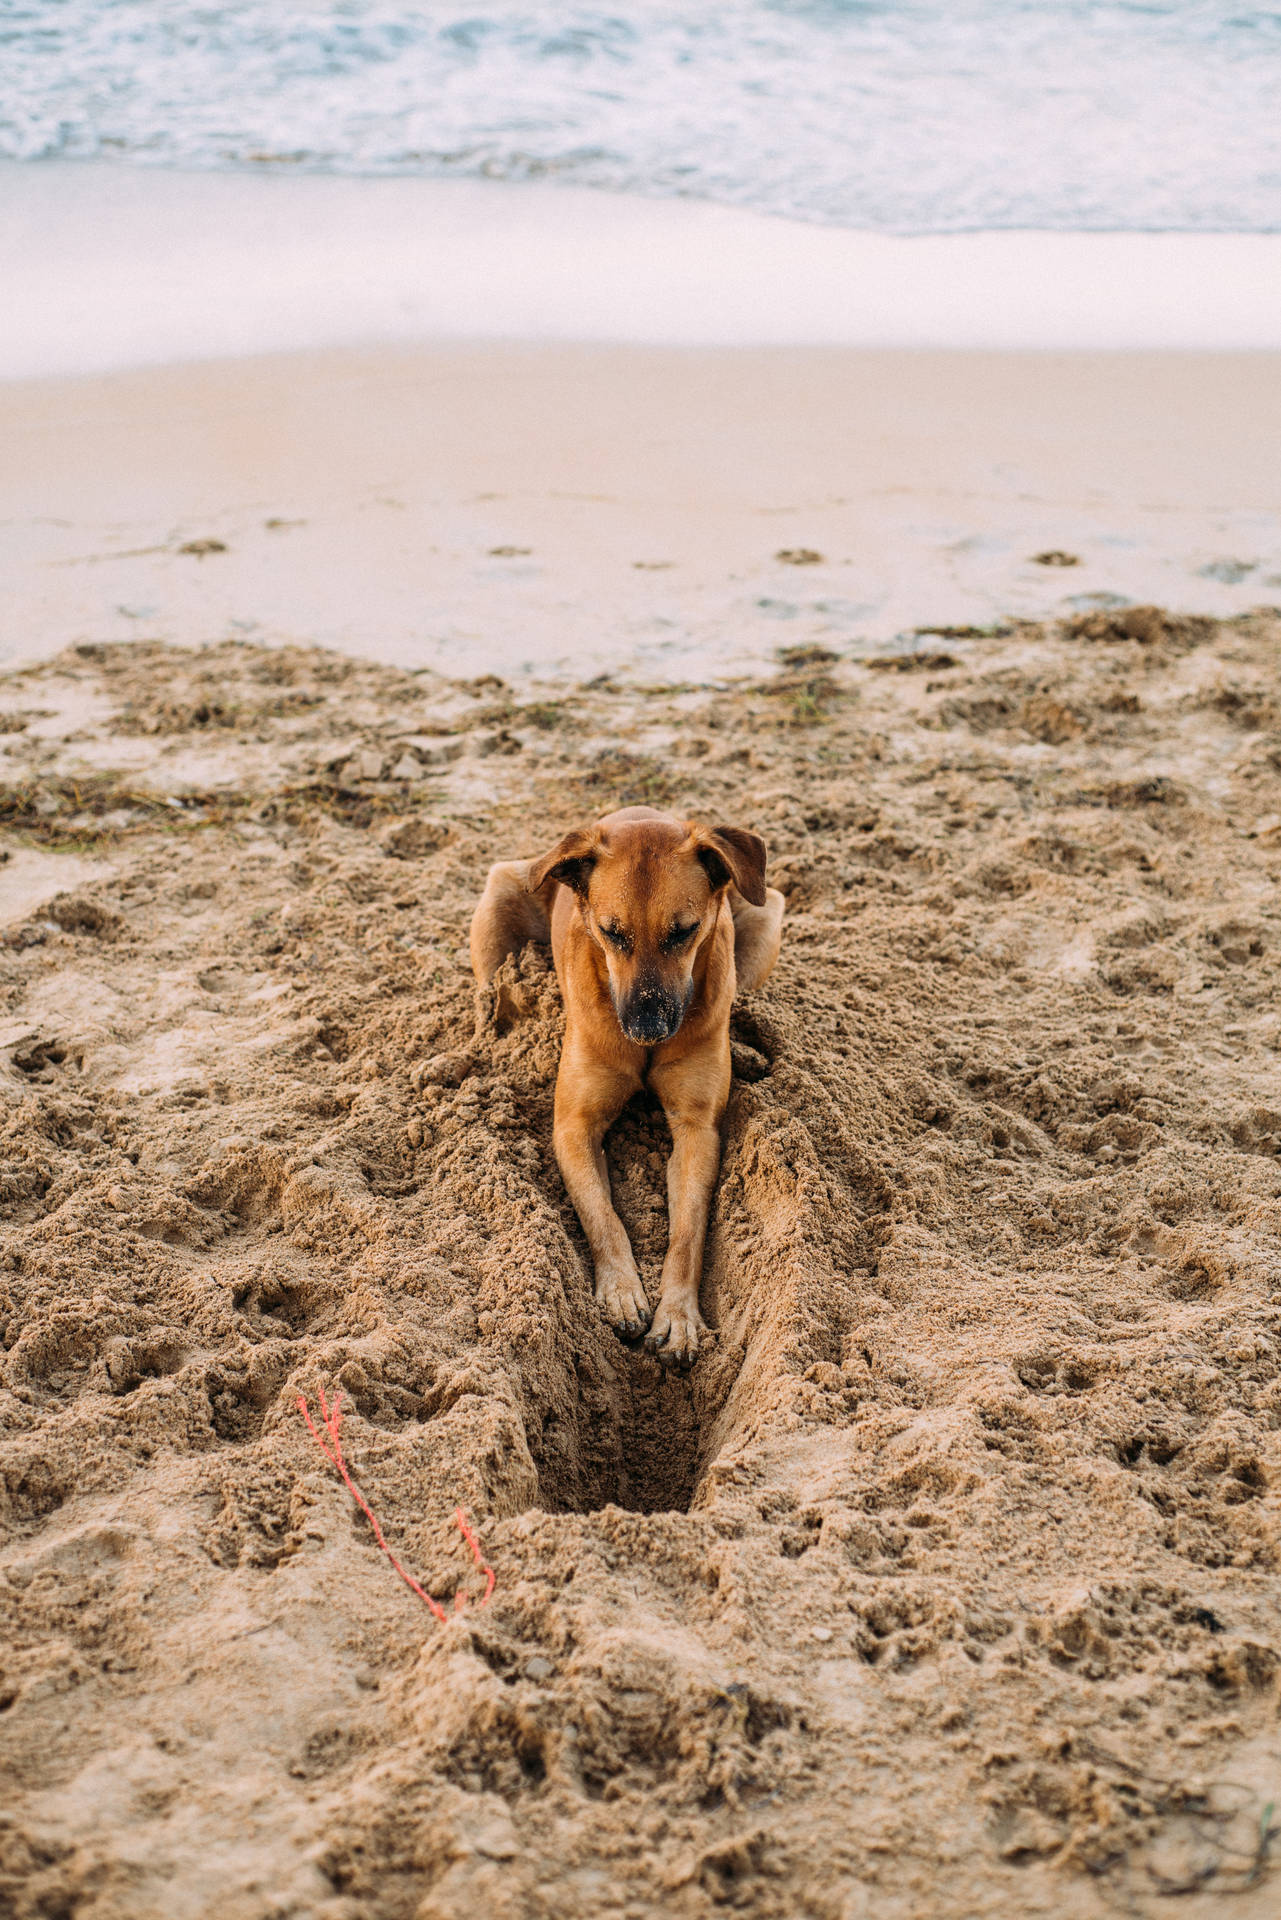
(610,1424)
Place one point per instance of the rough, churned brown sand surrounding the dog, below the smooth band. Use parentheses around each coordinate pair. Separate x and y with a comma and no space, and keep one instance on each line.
(946,1581)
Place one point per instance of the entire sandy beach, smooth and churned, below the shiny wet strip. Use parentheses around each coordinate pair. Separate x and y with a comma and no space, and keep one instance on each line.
(946,1583)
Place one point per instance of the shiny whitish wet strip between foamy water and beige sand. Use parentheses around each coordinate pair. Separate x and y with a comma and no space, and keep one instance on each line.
(118,266)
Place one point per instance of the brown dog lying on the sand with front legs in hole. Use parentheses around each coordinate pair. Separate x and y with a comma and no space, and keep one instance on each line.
(654,924)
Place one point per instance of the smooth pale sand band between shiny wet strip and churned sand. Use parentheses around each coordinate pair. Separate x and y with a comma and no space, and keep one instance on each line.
(527,510)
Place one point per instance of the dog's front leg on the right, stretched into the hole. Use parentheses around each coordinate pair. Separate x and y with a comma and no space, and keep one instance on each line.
(694,1095)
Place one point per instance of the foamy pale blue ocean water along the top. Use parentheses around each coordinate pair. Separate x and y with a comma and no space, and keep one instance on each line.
(896,116)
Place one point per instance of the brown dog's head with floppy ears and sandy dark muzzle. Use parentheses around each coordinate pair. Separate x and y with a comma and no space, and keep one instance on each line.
(650,890)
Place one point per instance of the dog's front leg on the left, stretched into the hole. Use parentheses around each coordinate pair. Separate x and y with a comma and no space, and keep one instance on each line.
(587,1103)
